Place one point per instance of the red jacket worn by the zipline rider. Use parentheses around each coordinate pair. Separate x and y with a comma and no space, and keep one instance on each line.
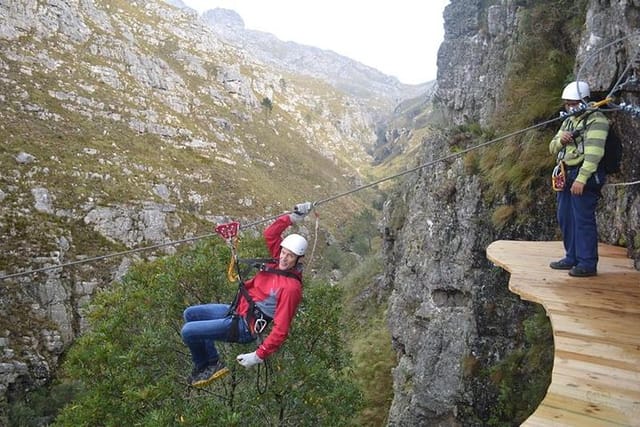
(277,296)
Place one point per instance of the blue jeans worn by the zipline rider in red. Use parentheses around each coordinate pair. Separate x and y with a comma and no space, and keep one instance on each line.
(205,324)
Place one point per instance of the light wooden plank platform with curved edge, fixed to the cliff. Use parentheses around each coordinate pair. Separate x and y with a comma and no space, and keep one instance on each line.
(596,329)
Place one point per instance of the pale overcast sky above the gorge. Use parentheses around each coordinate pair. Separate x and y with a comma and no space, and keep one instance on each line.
(399,37)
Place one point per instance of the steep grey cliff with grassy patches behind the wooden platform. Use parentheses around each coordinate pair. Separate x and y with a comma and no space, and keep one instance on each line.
(452,319)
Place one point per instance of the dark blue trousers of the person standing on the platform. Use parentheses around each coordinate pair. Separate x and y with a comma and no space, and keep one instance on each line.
(577,220)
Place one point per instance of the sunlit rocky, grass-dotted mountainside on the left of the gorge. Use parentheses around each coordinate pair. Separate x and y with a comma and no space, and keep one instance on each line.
(129,124)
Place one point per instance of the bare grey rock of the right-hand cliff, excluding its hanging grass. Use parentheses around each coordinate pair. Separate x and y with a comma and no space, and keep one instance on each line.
(450,313)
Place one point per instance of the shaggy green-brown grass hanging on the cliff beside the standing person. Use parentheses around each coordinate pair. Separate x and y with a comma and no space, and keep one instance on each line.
(517,170)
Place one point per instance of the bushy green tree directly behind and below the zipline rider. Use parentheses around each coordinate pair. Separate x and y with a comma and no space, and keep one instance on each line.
(133,366)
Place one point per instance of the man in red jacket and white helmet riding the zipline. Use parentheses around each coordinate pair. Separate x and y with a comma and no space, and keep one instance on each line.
(273,294)
